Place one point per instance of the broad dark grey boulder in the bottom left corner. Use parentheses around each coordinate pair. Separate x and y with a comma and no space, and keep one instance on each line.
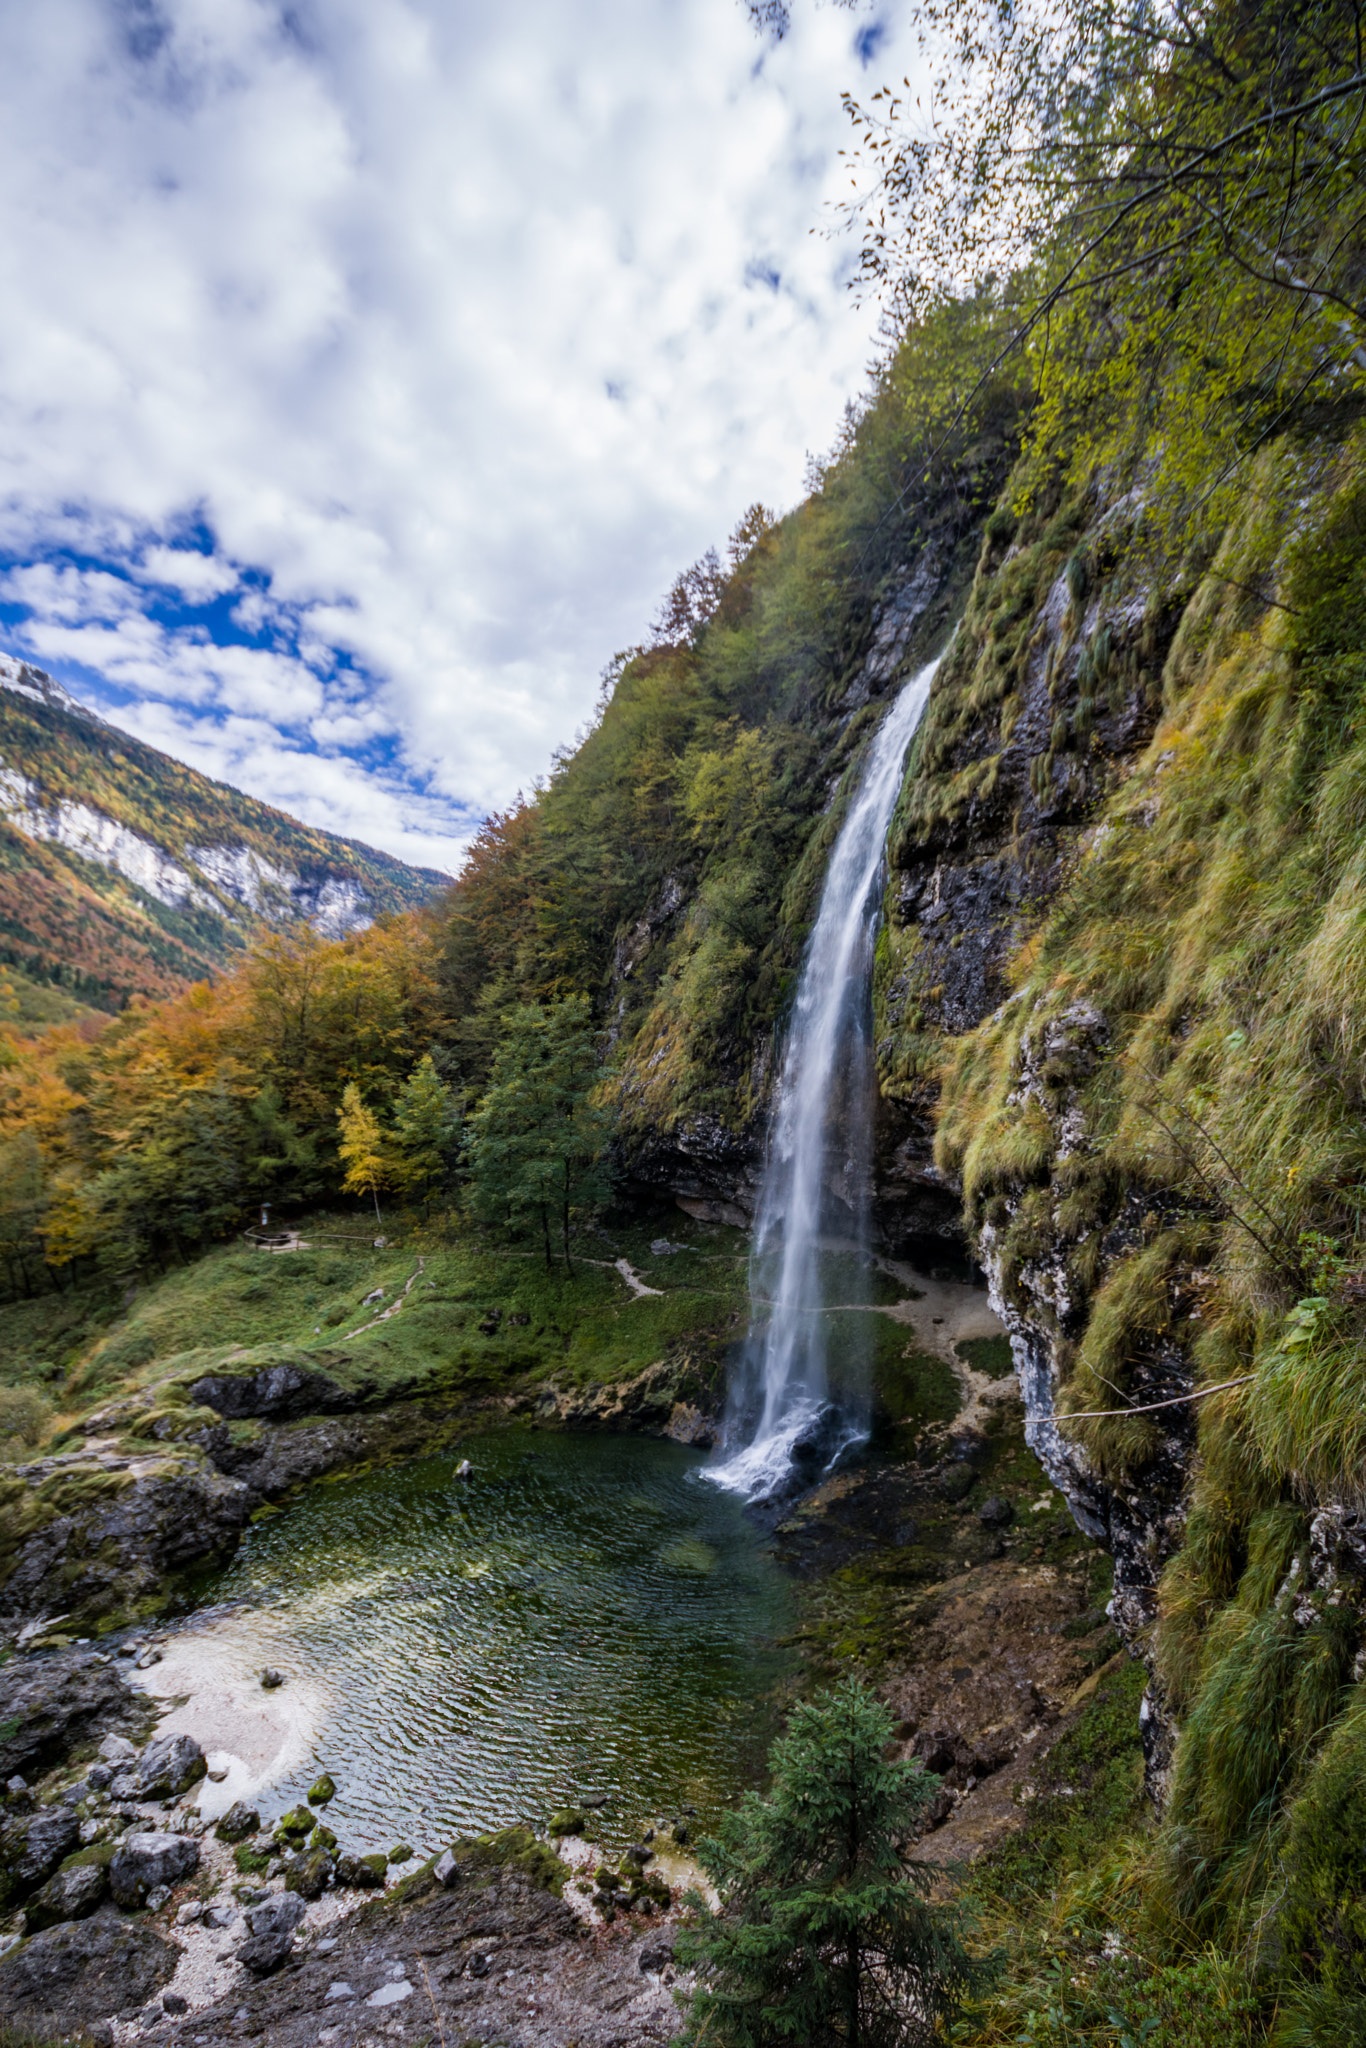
(85,1971)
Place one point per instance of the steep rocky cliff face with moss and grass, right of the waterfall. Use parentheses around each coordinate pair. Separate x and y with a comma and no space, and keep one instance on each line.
(1123,984)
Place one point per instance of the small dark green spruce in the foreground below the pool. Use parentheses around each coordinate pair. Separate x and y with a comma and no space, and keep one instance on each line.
(826,1932)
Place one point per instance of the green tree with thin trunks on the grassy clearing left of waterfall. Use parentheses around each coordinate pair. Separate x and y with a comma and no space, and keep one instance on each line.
(538,1138)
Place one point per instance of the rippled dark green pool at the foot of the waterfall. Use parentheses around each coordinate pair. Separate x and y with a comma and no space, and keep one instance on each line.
(585,1617)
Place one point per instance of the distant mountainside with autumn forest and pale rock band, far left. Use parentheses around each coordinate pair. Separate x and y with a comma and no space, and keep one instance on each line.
(126,873)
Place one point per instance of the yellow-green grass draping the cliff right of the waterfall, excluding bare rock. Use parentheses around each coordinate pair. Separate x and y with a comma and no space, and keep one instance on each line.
(1213,916)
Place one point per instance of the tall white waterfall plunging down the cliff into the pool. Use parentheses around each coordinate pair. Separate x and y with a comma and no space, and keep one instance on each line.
(816,1183)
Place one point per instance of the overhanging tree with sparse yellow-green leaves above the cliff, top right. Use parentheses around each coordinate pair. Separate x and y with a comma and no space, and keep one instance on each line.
(1166,200)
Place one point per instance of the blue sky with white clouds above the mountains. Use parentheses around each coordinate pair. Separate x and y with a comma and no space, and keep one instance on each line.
(370,368)
